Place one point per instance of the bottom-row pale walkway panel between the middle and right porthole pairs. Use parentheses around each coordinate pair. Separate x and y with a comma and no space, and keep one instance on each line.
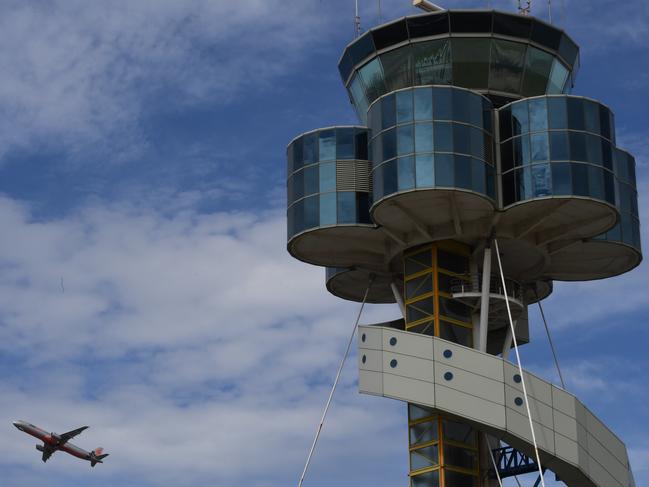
(468,406)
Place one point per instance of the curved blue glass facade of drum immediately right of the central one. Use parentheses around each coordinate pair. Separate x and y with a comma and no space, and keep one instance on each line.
(557,146)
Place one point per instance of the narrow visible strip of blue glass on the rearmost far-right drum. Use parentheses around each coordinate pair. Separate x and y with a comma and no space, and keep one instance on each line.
(627,230)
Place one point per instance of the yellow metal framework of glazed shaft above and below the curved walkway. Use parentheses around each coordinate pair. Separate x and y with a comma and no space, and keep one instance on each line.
(434,453)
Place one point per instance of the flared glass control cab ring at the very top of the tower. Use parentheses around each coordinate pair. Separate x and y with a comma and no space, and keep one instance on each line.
(520,57)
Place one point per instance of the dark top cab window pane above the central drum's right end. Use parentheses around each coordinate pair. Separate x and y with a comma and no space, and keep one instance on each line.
(471,62)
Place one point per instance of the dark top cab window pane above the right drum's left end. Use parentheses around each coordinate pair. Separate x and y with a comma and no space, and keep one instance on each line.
(506,65)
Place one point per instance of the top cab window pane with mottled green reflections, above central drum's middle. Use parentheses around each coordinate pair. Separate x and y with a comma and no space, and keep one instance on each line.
(432,62)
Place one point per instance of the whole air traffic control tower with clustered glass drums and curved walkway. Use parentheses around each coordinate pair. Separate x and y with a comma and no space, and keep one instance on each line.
(468,141)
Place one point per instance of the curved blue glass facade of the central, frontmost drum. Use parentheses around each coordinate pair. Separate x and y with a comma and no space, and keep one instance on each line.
(431,137)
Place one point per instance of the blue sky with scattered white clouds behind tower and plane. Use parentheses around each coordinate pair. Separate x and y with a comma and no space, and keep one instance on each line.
(145,288)
